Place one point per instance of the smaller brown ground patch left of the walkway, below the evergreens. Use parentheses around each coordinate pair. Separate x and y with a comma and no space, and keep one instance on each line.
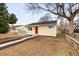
(9,36)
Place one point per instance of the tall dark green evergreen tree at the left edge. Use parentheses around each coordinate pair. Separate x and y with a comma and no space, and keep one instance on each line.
(4,16)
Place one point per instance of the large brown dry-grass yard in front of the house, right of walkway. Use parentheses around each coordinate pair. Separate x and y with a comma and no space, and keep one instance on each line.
(41,46)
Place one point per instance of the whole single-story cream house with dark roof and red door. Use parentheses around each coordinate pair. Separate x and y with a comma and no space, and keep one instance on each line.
(48,28)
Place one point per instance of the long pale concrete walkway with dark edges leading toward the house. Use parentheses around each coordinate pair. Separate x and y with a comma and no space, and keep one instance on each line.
(14,41)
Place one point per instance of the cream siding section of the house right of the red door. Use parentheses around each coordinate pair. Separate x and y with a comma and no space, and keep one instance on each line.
(45,30)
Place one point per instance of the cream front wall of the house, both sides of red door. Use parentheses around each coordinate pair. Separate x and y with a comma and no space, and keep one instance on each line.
(44,30)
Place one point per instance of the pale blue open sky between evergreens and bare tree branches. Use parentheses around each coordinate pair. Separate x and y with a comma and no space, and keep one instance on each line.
(24,17)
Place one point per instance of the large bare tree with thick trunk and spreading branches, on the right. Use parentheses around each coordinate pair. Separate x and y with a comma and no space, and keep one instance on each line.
(68,10)
